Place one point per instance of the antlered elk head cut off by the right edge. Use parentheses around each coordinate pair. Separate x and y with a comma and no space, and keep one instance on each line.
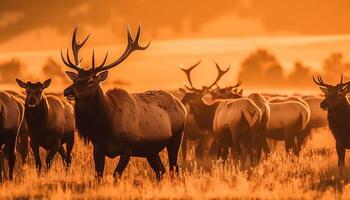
(334,94)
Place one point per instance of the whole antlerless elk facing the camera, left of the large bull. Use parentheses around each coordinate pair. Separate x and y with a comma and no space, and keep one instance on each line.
(50,121)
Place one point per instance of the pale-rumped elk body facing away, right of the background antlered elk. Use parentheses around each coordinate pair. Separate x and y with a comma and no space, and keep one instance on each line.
(240,120)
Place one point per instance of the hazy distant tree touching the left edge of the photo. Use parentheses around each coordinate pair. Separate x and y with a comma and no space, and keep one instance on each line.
(10,70)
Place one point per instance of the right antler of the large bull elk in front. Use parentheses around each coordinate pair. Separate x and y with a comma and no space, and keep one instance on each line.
(133,45)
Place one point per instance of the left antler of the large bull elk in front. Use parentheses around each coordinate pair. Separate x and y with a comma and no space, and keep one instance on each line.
(75,48)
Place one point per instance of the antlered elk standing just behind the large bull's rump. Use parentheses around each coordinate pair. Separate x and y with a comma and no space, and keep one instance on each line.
(198,125)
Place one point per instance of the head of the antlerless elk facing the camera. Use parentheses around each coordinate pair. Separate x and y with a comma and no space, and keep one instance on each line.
(34,91)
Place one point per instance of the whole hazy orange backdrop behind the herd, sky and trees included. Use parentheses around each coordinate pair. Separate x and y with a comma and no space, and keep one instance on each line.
(270,44)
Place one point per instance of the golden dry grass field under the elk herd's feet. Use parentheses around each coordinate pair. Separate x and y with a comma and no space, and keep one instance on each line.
(313,175)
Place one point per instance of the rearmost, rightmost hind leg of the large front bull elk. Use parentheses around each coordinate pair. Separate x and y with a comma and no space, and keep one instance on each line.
(173,150)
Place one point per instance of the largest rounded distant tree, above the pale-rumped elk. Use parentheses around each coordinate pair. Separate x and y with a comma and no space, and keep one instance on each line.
(261,68)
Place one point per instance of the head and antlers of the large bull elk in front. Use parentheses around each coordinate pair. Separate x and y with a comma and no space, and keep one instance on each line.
(87,82)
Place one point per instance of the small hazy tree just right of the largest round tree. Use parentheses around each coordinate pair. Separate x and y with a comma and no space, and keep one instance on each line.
(300,77)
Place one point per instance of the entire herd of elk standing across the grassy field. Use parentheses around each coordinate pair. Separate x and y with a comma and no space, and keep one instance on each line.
(119,123)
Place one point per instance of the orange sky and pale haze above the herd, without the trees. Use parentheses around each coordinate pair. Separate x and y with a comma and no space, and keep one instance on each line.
(181,32)
